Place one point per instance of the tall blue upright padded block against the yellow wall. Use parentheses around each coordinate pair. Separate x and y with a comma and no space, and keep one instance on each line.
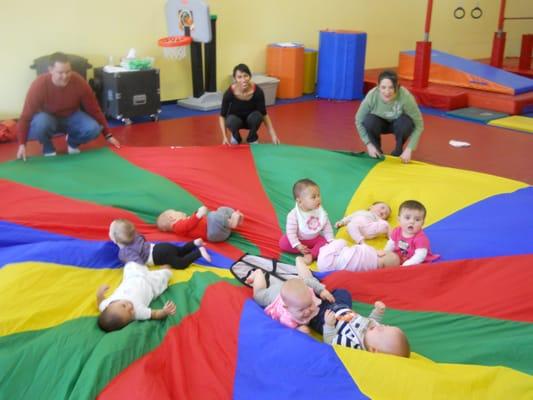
(341,65)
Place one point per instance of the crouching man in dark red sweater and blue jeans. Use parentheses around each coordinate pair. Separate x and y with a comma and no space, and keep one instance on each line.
(54,105)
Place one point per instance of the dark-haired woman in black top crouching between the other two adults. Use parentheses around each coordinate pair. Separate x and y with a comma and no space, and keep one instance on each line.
(243,107)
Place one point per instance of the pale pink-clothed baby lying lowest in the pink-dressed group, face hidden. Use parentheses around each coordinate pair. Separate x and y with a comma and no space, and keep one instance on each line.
(338,255)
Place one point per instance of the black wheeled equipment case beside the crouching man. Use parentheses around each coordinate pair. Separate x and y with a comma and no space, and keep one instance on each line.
(123,95)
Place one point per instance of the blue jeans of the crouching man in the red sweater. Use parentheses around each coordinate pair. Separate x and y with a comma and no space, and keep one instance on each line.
(80,127)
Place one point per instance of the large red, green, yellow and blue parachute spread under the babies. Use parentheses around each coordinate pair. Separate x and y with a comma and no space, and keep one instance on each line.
(468,317)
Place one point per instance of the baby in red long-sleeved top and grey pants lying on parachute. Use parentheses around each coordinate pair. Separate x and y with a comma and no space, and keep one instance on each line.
(213,226)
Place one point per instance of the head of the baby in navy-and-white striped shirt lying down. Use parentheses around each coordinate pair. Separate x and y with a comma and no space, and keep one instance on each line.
(387,339)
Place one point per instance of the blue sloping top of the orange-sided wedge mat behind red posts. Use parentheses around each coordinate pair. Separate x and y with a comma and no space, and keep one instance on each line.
(520,84)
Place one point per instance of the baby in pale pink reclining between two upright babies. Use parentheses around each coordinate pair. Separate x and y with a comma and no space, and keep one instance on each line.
(367,224)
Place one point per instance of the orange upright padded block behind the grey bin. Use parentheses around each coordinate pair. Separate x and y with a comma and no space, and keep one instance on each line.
(285,61)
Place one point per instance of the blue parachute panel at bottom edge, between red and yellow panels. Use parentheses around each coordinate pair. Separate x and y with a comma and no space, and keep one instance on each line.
(262,374)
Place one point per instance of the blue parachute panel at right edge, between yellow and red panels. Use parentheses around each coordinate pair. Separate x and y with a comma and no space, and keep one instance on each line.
(498,226)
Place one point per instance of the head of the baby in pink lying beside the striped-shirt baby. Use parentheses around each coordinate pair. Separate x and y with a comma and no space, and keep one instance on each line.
(299,300)
